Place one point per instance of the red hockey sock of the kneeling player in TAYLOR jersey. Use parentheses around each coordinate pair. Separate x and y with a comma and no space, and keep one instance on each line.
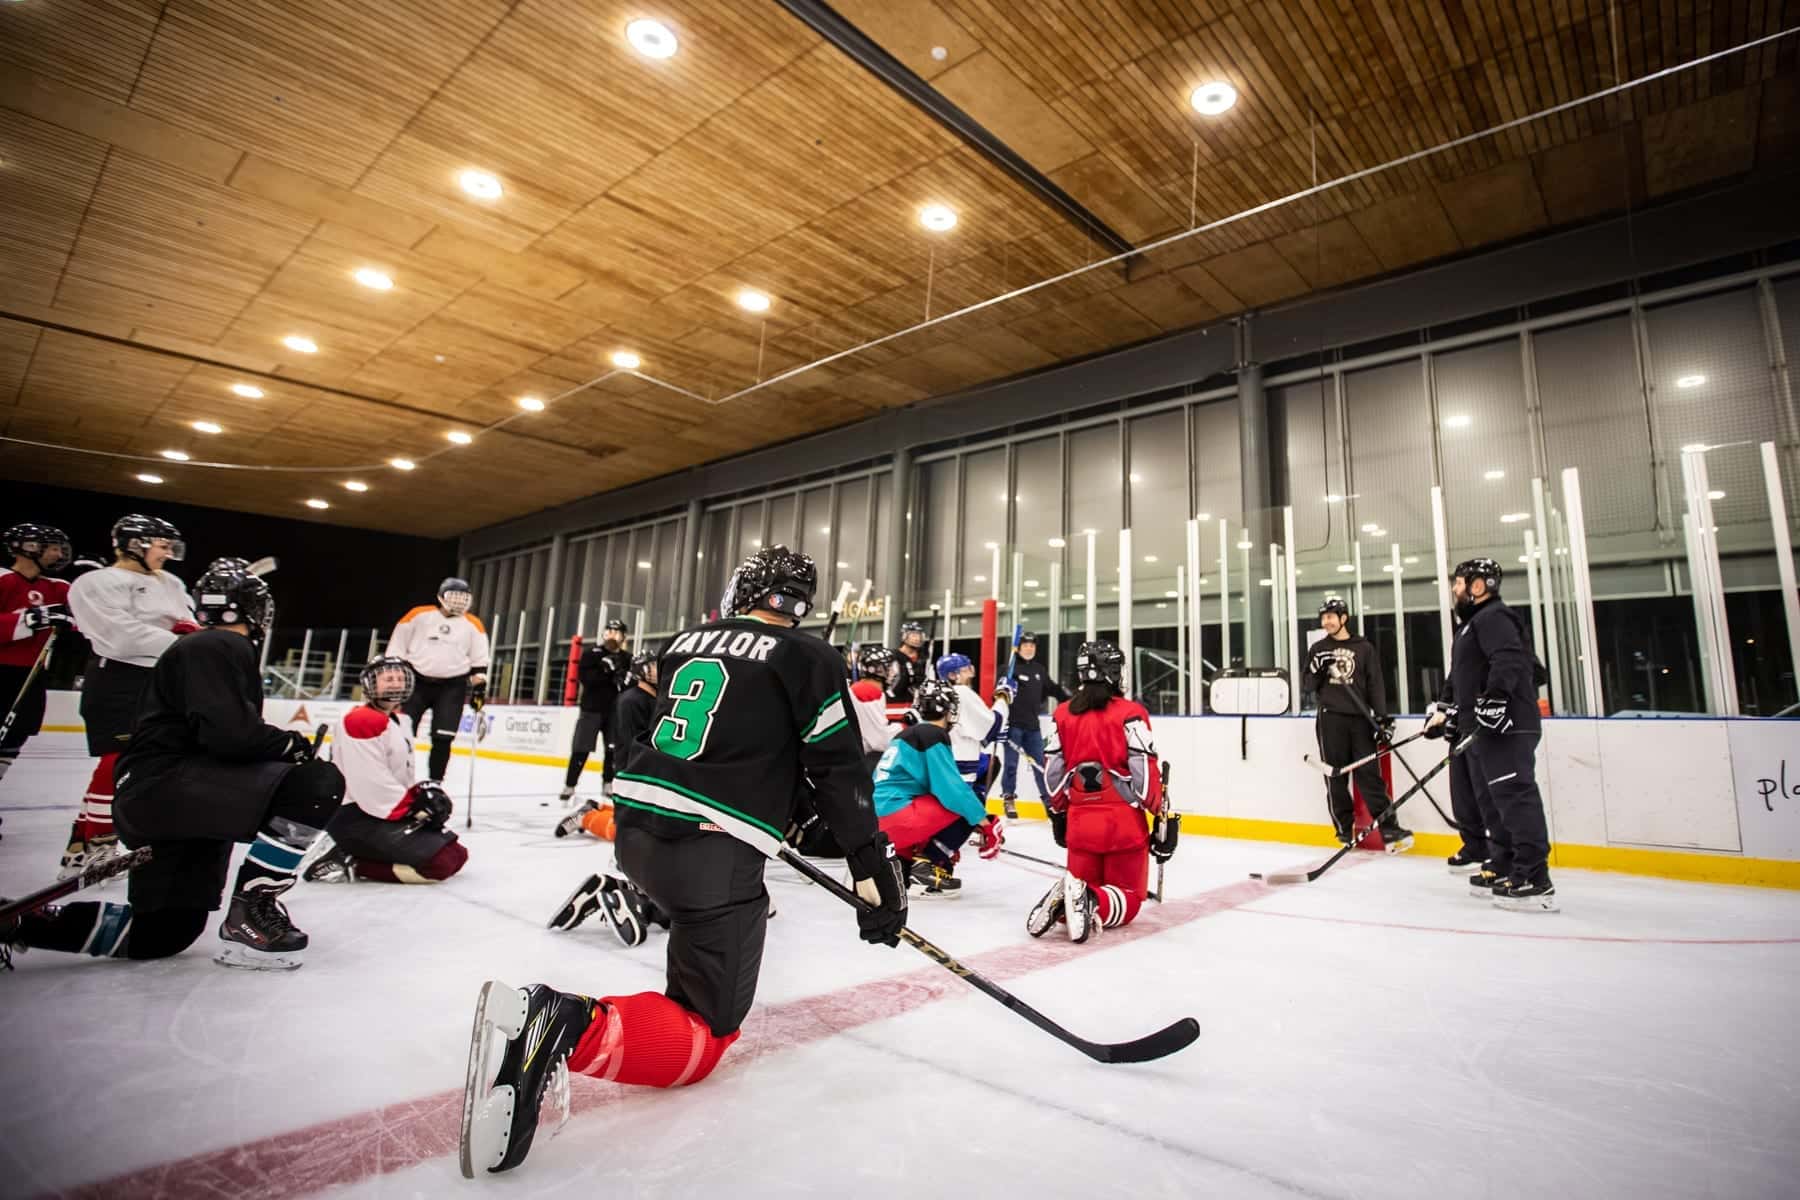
(649,1039)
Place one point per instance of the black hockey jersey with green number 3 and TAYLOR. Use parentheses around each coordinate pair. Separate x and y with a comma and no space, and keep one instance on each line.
(742,710)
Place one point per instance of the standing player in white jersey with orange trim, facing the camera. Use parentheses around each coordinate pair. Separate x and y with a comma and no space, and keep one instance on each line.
(447,649)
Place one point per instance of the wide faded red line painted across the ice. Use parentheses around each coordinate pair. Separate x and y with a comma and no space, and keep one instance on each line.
(400,1136)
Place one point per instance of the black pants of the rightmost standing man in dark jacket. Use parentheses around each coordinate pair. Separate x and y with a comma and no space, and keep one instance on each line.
(1500,775)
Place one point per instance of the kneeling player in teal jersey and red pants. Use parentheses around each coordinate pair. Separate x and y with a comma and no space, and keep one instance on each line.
(922,801)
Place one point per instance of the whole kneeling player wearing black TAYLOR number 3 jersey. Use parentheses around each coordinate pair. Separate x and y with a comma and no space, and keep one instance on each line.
(746,706)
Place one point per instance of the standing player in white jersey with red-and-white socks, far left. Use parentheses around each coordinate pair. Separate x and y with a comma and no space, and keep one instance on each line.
(130,613)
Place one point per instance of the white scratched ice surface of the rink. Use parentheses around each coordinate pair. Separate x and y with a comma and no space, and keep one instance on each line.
(1374,1035)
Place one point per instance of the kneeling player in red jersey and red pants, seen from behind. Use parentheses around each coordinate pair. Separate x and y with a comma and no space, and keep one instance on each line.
(1104,782)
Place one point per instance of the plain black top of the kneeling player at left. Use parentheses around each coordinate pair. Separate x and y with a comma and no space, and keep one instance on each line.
(204,701)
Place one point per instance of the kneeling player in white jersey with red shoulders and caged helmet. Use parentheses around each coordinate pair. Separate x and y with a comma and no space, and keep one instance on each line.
(390,828)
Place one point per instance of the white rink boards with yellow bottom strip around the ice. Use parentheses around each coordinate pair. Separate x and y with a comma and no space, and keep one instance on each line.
(1691,798)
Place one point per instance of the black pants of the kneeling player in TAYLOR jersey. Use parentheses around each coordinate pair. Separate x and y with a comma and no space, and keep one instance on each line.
(712,888)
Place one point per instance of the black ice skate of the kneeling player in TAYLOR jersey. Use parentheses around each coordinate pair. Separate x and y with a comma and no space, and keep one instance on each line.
(541,1028)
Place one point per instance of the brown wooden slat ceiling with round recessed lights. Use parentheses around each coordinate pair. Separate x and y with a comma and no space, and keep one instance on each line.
(186,183)
